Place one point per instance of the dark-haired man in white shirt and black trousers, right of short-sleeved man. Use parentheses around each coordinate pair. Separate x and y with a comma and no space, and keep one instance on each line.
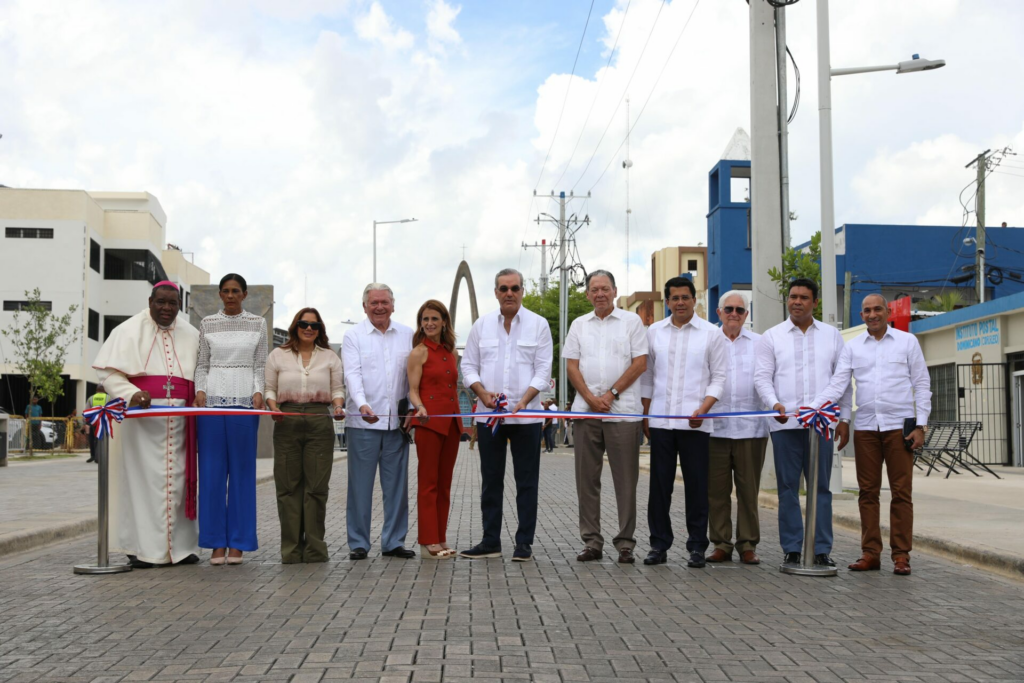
(686,372)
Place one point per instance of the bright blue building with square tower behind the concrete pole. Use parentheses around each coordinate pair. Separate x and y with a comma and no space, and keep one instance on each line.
(893,261)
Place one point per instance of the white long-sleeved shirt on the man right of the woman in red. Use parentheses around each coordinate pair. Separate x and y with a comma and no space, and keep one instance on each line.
(511,362)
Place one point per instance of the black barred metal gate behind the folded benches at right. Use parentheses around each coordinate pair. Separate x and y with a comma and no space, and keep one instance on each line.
(984,396)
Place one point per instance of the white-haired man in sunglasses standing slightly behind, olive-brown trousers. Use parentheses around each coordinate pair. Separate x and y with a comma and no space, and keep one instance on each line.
(738,447)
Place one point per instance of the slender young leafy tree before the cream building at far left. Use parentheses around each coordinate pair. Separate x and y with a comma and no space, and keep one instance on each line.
(41,340)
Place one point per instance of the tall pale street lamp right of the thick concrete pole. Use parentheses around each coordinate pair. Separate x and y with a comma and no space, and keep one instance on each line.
(826,72)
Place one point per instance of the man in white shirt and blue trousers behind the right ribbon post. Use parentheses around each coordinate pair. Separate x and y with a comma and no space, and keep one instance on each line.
(796,361)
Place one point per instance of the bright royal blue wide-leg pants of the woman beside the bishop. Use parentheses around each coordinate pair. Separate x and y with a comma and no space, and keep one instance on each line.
(228,482)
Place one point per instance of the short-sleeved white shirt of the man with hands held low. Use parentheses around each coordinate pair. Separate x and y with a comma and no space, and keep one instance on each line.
(606,350)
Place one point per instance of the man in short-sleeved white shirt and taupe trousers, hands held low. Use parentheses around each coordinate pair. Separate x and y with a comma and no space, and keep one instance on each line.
(606,354)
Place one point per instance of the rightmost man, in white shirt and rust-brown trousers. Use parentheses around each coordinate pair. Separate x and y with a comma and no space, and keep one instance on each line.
(893,388)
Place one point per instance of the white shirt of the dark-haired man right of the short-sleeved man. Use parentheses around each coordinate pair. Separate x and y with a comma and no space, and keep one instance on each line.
(685,366)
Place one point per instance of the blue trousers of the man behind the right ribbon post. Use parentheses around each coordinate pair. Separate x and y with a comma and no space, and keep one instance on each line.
(792,448)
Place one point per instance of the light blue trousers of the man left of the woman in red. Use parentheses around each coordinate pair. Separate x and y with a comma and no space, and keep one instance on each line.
(368,451)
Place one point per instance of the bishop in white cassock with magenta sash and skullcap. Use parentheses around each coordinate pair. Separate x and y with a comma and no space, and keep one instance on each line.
(150,360)
